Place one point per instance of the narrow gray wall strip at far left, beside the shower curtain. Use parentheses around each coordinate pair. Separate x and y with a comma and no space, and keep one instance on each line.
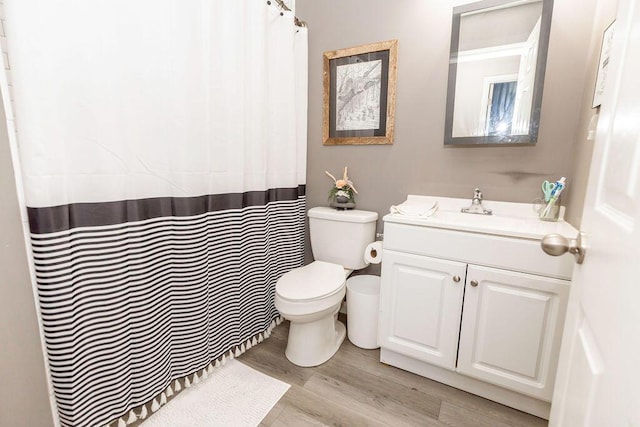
(24,399)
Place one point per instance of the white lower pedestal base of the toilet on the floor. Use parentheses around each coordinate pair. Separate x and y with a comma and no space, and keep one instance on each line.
(313,343)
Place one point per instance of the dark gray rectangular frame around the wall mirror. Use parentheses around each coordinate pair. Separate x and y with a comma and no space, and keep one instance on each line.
(541,64)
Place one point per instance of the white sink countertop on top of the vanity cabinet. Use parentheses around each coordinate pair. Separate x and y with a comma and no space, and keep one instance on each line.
(509,219)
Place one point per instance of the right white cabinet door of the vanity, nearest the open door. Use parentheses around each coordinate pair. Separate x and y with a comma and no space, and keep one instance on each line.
(511,329)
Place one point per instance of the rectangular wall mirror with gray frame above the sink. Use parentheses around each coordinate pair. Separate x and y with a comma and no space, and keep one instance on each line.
(496,72)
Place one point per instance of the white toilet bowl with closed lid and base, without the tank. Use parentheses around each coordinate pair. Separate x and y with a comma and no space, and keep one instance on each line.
(310,298)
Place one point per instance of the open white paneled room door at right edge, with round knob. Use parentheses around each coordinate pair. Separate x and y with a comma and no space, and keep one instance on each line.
(598,382)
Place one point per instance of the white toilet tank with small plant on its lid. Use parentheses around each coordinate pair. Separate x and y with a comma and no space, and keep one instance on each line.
(341,236)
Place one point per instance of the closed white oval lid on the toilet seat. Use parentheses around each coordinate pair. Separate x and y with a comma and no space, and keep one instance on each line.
(316,280)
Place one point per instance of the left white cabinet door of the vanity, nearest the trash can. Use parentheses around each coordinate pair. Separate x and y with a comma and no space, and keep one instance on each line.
(420,307)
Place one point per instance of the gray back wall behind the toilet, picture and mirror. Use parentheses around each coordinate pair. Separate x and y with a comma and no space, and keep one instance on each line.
(418,162)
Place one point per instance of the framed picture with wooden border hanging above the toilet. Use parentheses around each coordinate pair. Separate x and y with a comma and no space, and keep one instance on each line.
(360,94)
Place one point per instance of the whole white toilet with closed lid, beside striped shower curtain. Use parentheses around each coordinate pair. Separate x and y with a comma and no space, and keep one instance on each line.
(310,296)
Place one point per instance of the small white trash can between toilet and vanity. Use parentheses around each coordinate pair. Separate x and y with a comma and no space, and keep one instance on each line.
(363,300)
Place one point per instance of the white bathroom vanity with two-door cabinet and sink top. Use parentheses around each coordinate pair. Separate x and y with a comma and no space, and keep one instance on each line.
(472,301)
